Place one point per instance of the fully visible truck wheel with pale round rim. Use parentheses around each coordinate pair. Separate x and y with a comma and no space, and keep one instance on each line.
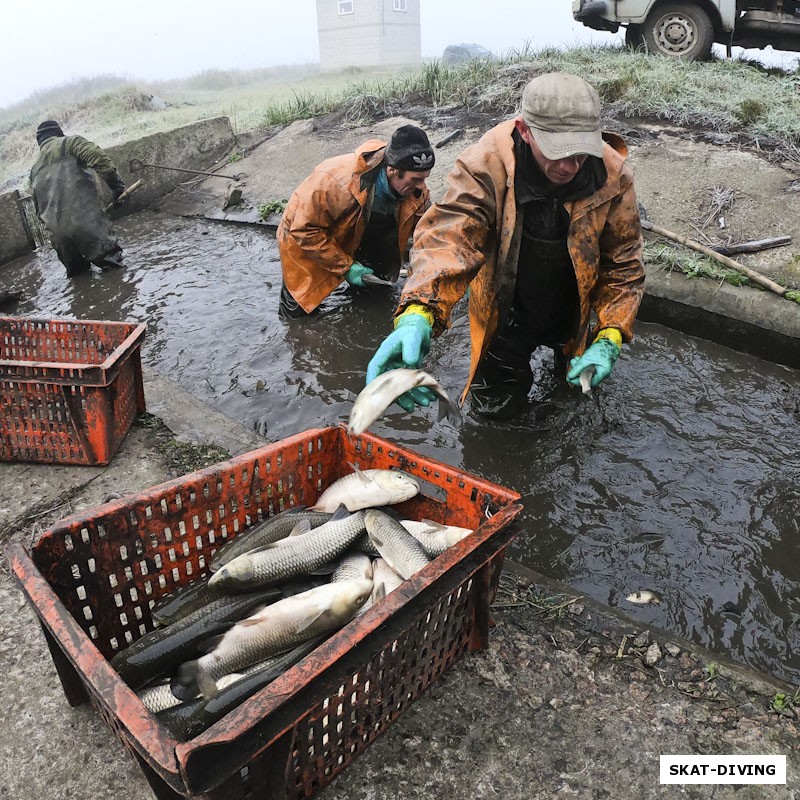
(682,30)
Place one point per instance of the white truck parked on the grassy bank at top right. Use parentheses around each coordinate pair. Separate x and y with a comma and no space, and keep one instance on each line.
(689,29)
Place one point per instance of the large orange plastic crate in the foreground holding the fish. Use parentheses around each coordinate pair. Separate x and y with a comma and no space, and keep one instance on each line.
(94,577)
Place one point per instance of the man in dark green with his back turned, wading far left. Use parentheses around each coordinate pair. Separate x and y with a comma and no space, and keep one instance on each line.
(65,197)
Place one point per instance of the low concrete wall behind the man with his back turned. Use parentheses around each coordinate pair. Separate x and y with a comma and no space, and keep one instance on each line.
(200,145)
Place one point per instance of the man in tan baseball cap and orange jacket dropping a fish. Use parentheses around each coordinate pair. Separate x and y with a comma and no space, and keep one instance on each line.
(540,224)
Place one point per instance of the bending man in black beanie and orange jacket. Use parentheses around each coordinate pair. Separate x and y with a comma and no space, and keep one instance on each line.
(352,219)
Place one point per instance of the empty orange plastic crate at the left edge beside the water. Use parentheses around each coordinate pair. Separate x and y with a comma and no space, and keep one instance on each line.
(69,389)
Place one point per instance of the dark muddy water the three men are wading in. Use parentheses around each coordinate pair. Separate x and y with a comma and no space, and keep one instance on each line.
(680,475)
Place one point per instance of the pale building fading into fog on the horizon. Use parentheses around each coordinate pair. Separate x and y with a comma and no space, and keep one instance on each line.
(375,34)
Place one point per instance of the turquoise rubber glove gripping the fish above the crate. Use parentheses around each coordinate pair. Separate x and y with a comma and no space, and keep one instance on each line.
(406,347)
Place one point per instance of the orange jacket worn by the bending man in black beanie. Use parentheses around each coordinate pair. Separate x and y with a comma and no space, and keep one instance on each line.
(325,218)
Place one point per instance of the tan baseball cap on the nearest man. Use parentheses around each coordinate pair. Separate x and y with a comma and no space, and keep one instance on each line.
(563,114)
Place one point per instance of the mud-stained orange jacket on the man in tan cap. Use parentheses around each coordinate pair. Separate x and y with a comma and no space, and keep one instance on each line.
(472,239)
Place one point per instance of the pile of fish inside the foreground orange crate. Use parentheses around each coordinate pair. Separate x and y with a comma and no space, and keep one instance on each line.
(275,592)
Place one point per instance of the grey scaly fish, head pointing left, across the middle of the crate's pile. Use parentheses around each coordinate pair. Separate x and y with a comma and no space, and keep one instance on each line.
(292,556)
